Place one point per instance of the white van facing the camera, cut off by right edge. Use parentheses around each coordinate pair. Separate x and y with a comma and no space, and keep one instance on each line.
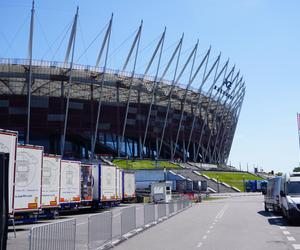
(290,196)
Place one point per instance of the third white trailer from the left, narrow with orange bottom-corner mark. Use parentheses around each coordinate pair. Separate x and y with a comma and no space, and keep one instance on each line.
(50,181)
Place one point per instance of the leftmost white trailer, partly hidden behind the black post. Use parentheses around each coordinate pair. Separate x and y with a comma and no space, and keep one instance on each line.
(8,144)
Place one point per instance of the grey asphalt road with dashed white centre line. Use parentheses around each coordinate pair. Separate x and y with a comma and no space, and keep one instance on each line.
(229,224)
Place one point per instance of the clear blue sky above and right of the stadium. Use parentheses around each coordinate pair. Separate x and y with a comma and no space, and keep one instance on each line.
(261,37)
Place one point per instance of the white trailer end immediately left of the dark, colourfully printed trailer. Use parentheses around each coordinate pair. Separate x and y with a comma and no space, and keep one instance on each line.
(70,186)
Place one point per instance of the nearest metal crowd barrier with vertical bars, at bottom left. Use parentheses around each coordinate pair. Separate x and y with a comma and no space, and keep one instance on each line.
(59,235)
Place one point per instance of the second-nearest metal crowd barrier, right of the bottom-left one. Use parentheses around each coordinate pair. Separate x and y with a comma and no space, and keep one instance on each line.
(99,229)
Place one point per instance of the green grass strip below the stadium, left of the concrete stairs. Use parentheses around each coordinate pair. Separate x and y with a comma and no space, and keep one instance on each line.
(143,164)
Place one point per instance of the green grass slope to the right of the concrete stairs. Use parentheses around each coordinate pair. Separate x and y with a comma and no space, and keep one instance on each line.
(234,179)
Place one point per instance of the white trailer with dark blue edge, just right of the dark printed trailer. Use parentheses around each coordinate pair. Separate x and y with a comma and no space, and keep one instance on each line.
(105,184)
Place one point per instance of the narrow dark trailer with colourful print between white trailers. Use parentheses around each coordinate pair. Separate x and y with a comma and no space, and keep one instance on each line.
(86,184)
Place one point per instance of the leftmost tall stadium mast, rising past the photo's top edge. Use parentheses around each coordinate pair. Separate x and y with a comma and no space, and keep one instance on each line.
(30,73)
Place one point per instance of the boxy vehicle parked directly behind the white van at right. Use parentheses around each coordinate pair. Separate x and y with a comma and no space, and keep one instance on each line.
(272,196)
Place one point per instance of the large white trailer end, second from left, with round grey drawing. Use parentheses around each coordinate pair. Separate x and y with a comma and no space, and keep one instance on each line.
(28,178)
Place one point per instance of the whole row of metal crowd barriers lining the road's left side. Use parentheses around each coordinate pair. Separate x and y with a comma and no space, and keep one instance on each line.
(104,229)
